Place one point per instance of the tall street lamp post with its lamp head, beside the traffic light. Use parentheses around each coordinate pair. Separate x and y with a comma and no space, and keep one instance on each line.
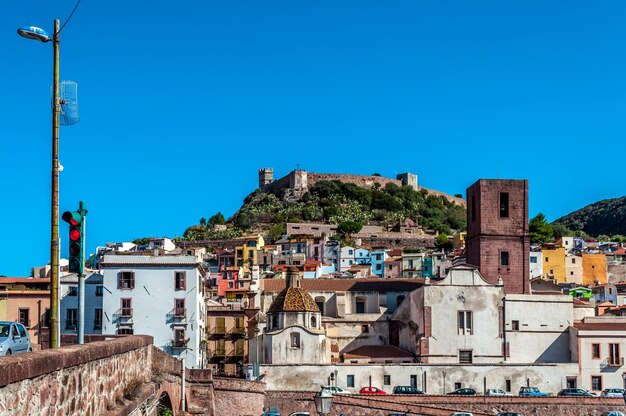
(36,33)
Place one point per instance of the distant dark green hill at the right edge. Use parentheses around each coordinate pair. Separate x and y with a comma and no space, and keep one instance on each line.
(606,217)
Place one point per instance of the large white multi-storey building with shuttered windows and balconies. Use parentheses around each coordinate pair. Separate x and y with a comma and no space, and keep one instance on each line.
(160,296)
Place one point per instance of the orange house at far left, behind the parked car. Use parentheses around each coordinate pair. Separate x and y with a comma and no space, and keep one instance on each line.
(27,300)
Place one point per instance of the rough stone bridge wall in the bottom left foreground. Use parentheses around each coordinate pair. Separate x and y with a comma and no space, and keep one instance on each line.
(76,380)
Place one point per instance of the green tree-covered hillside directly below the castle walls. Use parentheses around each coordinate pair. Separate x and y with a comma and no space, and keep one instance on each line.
(267,209)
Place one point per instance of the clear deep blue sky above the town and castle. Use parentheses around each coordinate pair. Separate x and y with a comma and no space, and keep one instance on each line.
(182,102)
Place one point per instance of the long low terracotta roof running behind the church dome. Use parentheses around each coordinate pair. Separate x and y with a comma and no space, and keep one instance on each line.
(348,285)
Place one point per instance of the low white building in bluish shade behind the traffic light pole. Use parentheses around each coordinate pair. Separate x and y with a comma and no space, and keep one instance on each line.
(68,304)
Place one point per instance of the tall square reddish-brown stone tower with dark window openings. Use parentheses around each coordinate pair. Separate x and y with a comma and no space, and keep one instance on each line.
(497,232)
